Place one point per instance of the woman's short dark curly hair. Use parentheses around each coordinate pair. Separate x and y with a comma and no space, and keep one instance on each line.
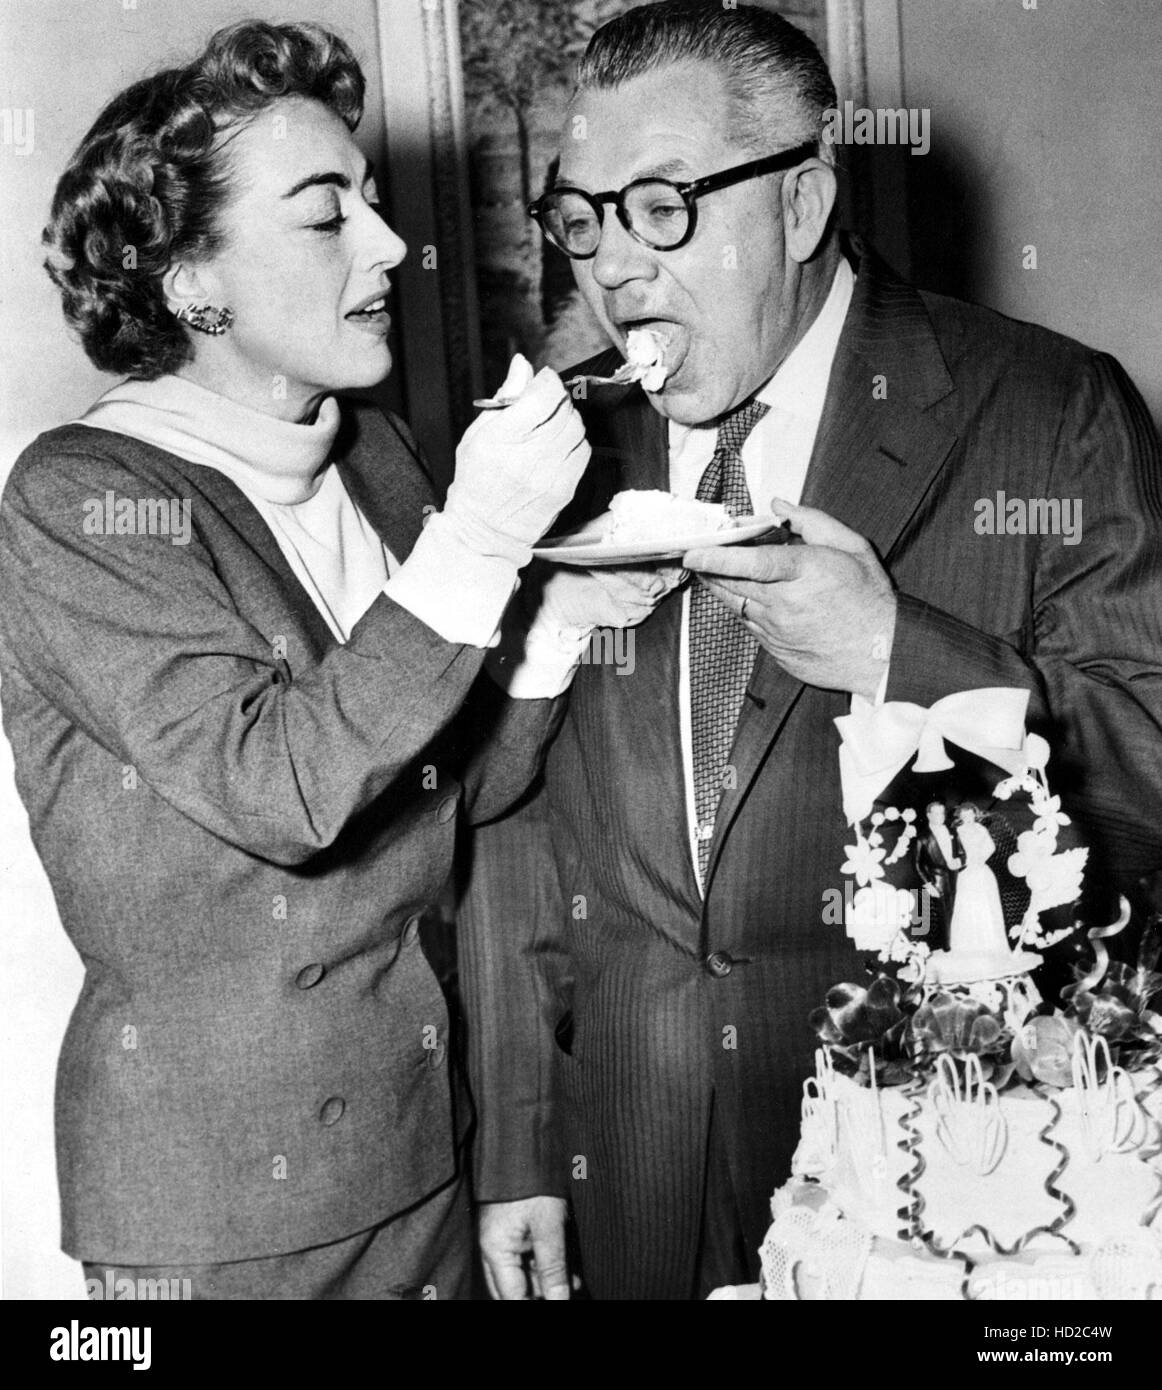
(149,181)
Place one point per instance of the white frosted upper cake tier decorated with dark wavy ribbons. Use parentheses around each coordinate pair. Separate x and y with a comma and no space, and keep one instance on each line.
(957,1168)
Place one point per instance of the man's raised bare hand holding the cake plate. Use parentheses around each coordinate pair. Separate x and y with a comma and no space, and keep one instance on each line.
(825,611)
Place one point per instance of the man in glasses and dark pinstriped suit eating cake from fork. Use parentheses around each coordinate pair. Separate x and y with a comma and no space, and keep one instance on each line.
(644,942)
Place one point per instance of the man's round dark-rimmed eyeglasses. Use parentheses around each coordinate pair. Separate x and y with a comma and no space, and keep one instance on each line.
(655,212)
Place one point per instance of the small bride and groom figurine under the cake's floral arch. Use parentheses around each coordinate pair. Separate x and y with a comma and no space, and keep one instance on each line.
(956,874)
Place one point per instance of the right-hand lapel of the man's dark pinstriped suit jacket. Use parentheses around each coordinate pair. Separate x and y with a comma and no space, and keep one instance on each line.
(876,455)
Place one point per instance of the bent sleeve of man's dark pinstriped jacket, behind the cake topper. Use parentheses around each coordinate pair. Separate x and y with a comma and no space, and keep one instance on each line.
(1092,651)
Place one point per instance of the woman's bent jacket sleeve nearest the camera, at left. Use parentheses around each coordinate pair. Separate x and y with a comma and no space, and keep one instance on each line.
(140,644)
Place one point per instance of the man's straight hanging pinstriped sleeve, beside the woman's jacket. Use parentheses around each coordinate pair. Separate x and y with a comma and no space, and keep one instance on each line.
(515,978)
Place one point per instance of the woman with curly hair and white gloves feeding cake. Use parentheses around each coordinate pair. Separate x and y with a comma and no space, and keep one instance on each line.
(244,689)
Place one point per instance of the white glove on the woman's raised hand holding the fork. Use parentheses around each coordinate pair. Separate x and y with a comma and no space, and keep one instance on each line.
(518,468)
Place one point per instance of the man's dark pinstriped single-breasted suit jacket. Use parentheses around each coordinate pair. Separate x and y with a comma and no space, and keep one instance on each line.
(623,1021)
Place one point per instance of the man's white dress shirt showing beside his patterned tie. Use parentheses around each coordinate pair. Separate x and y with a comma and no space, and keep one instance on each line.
(775,458)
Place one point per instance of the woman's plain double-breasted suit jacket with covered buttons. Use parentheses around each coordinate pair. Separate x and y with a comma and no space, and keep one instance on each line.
(243,822)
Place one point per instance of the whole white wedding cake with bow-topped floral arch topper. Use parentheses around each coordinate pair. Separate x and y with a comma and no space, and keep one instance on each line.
(964,1138)
